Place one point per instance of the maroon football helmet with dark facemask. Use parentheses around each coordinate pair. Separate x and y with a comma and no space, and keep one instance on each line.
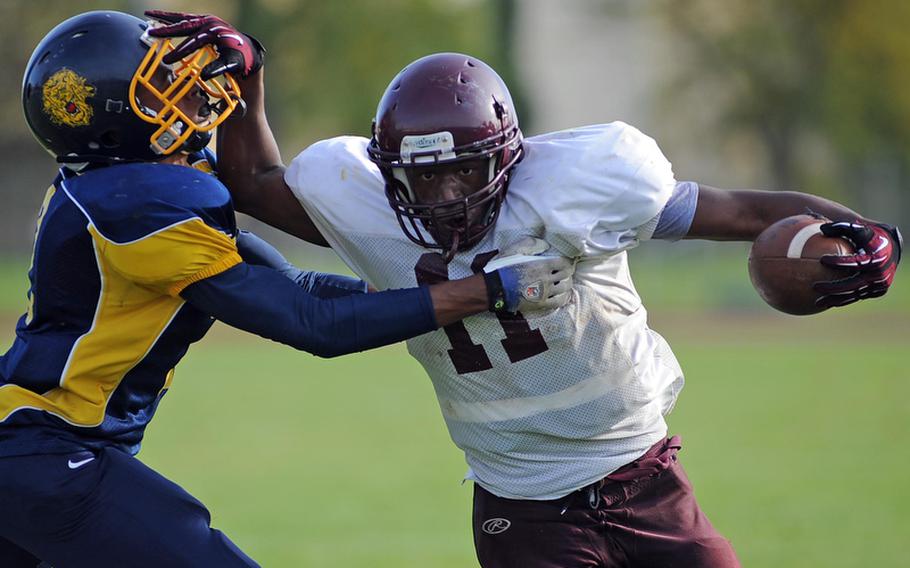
(442,109)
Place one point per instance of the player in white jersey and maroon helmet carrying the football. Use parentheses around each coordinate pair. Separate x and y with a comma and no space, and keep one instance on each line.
(561,413)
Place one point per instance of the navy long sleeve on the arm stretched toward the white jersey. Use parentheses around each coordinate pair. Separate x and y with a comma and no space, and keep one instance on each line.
(263,301)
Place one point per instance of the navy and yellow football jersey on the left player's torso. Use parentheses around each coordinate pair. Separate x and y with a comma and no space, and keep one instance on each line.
(106,324)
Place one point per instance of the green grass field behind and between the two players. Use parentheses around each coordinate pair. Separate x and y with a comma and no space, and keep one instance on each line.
(793,431)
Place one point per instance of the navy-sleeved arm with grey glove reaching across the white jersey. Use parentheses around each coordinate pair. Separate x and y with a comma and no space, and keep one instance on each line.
(264,301)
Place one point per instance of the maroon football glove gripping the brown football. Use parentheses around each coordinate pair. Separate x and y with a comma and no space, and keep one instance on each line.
(878,251)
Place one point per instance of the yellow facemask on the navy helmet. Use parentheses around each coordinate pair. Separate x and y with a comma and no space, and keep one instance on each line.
(175,126)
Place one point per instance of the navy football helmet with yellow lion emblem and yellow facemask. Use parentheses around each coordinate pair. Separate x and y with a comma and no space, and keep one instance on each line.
(95,91)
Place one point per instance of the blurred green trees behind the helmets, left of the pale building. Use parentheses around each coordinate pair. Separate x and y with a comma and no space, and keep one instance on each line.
(328,63)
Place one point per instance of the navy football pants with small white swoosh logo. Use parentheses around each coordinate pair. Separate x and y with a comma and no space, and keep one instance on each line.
(103,508)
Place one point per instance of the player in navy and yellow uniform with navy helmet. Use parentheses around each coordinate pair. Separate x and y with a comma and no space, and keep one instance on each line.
(136,253)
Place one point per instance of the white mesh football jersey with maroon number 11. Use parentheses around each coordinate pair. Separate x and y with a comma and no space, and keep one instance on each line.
(546,404)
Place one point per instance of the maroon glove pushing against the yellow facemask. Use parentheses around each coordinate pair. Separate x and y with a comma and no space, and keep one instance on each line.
(238,53)
